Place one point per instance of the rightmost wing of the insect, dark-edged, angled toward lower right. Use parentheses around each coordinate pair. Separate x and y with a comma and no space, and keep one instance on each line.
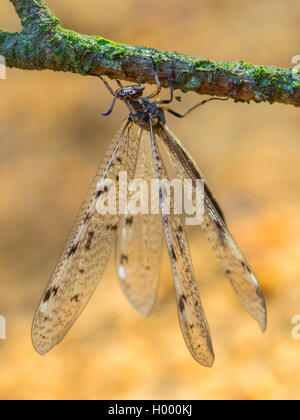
(230,257)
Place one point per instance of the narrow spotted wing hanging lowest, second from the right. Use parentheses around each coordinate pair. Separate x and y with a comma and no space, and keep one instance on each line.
(190,311)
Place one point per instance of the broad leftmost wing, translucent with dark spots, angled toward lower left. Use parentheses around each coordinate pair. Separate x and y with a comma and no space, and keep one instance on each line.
(84,258)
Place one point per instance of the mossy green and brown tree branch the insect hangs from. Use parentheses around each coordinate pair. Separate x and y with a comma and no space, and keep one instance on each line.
(44,44)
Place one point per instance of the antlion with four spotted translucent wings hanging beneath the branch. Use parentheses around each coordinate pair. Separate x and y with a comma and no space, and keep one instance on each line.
(139,237)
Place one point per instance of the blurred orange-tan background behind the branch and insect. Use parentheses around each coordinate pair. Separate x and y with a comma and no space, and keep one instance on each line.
(52,139)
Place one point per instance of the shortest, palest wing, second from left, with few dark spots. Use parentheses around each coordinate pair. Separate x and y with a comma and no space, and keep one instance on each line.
(139,245)
